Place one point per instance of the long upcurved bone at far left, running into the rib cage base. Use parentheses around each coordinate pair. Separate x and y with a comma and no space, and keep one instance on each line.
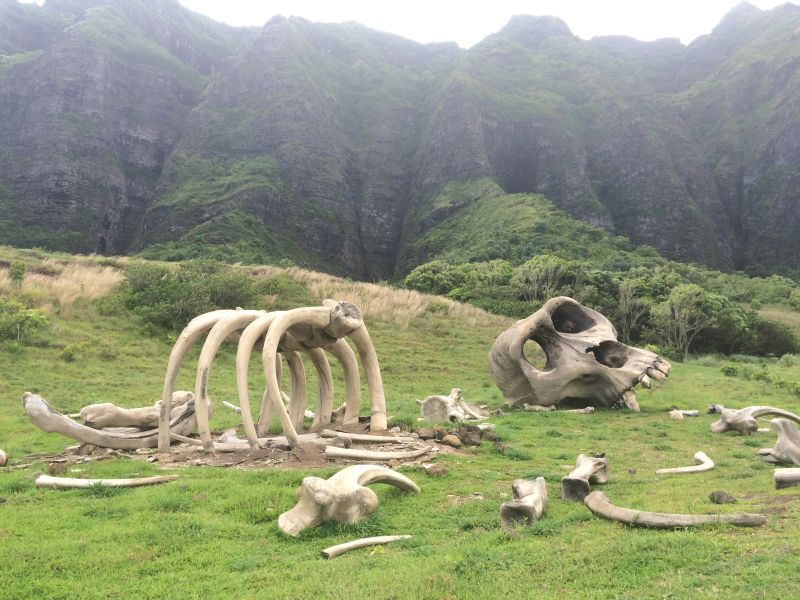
(50,420)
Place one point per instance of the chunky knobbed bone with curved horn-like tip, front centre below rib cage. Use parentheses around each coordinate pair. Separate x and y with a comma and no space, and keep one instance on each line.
(344,497)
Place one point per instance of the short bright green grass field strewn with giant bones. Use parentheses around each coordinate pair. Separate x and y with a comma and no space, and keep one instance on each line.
(213,533)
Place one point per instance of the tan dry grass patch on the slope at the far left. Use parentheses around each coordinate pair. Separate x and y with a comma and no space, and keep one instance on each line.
(57,287)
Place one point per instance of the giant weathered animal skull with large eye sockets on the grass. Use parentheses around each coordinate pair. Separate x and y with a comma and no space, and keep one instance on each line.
(585,361)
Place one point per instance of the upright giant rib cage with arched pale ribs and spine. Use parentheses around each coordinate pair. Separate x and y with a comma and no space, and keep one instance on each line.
(310,330)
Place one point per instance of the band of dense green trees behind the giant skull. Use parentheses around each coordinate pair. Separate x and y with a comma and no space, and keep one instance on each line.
(682,308)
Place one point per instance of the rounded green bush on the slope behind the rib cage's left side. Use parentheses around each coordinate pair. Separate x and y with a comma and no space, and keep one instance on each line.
(169,297)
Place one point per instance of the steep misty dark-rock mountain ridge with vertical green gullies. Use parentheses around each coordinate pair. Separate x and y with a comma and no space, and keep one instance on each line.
(129,125)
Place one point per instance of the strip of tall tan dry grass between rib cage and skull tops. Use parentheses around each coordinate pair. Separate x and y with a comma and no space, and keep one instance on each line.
(383,302)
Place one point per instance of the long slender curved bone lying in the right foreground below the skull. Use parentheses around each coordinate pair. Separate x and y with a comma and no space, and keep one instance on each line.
(599,504)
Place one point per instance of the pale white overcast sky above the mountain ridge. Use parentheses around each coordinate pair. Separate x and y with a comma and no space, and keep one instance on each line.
(469,22)
